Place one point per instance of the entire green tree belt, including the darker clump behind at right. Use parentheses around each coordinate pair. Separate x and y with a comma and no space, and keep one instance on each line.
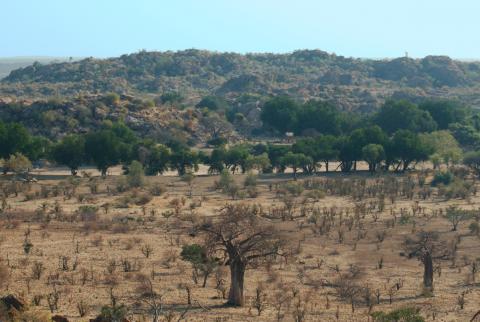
(398,135)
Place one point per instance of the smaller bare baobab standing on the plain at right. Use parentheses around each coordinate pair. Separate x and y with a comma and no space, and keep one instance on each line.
(426,246)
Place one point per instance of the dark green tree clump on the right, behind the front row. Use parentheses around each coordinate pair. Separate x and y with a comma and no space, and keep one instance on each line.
(286,115)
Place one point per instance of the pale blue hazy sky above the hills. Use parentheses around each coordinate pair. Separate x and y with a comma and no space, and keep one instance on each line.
(360,28)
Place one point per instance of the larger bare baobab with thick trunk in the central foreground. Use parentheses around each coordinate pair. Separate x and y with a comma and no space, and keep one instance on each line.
(242,236)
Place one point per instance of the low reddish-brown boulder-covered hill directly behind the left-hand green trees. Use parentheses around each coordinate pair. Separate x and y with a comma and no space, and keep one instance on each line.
(55,118)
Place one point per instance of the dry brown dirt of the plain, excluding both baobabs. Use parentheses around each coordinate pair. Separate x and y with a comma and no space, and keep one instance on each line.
(84,262)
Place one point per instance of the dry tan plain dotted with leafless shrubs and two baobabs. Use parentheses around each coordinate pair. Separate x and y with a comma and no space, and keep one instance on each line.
(324,248)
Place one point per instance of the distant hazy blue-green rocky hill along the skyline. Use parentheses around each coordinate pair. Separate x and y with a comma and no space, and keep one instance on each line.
(351,84)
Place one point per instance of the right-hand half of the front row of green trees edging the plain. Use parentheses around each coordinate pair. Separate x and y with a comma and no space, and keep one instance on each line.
(370,144)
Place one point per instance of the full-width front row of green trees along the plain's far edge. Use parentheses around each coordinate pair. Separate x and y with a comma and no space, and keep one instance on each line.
(117,144)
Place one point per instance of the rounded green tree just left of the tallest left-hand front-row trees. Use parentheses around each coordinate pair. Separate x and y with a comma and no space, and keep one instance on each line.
(70,152)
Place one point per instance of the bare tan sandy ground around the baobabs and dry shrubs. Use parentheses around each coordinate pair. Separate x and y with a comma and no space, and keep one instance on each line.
(322,260)
